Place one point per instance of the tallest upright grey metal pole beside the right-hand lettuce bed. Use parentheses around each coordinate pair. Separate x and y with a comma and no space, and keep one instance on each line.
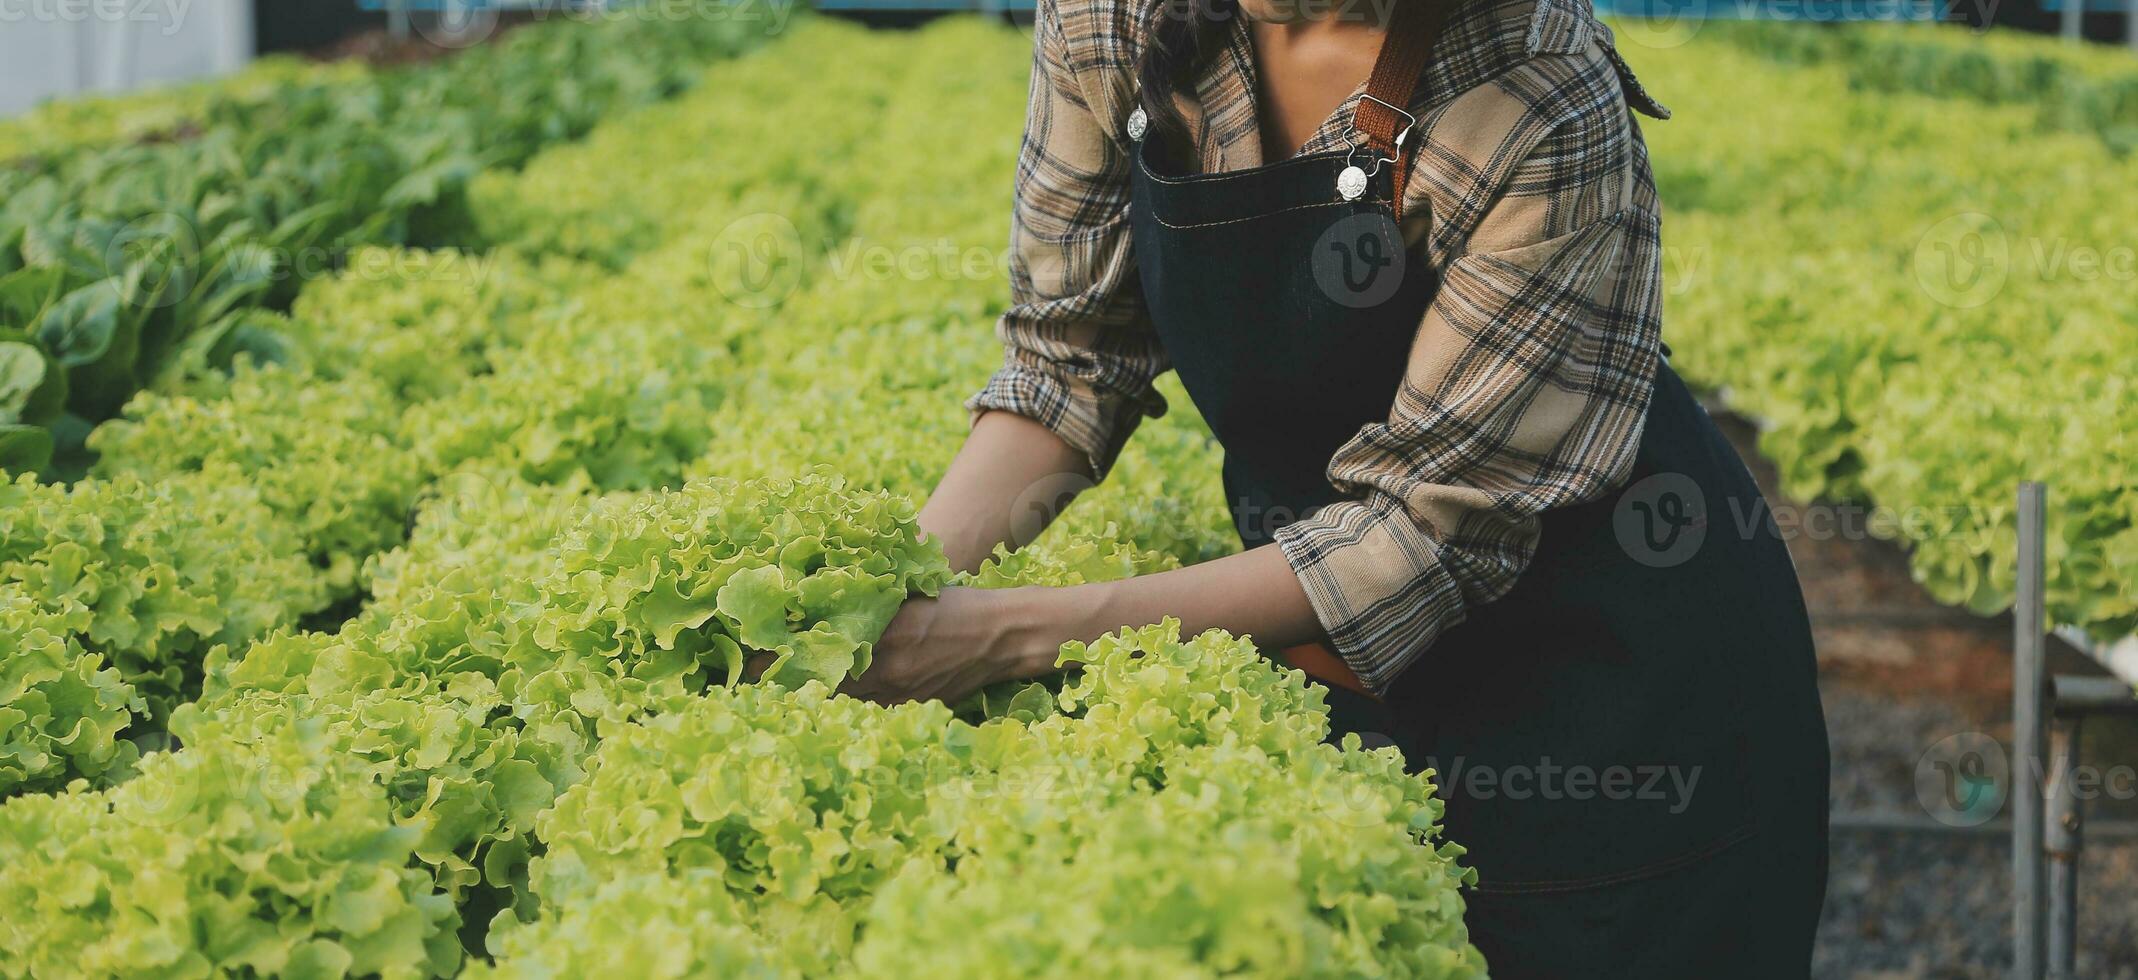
(2028,690)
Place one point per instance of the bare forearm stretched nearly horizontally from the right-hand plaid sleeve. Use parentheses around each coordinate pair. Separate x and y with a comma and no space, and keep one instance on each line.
(1252,594)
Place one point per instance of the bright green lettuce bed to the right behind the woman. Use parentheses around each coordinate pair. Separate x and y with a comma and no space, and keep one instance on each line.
(1921,322)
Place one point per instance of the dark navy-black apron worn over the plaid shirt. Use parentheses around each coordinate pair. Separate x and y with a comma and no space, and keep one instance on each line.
(1630,741)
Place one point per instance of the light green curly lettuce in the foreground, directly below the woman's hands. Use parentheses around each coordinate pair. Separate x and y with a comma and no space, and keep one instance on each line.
(901,842)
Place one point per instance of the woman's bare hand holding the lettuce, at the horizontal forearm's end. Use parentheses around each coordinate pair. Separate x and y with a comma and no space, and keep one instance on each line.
(950,647)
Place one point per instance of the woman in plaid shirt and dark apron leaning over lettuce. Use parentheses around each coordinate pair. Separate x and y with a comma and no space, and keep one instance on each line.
(1423,318)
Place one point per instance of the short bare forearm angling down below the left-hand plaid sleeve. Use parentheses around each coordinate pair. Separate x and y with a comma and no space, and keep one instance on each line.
(1004,487)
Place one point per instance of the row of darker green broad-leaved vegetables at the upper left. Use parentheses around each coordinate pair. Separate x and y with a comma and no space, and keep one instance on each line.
(112,258)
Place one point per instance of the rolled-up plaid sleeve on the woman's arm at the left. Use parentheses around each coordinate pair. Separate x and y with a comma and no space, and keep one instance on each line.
(1079,348)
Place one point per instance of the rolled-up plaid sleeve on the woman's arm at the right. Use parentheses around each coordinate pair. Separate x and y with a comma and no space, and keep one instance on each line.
(1528,388)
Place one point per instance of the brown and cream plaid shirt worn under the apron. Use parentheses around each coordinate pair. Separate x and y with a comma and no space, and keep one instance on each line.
(1532,369)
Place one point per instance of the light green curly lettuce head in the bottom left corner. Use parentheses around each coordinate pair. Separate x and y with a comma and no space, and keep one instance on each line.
(275,859)
